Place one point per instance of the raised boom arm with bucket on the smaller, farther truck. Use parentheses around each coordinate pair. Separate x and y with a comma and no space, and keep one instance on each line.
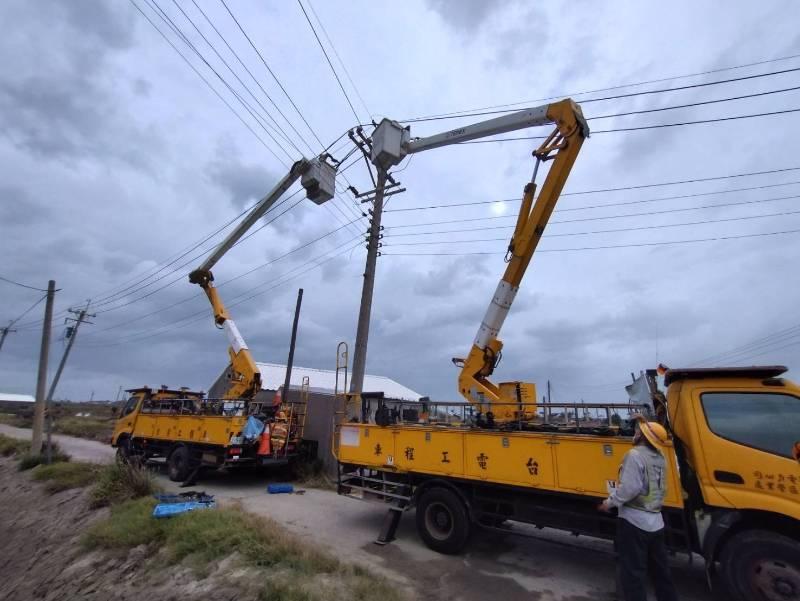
(318,178)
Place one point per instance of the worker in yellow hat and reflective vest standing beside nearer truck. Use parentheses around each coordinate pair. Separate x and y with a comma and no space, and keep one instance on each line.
(638,496)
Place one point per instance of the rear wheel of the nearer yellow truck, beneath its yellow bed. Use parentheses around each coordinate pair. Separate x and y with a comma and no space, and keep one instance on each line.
(442,520)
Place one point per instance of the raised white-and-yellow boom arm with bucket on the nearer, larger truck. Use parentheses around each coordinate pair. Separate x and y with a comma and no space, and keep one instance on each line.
(392,143)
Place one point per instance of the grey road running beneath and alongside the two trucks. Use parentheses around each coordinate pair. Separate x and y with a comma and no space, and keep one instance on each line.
(551,567)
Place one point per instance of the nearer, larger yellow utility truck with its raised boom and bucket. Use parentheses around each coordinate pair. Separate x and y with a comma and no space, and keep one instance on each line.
(733,473)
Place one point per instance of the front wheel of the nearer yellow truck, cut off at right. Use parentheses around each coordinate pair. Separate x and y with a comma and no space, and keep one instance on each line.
(758,565)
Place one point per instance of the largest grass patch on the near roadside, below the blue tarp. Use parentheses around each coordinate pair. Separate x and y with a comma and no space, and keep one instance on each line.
(293,570)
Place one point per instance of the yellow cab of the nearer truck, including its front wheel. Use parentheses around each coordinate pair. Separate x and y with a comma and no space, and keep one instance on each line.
(736,433)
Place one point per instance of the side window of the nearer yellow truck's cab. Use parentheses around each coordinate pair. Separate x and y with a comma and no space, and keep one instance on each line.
(766,421)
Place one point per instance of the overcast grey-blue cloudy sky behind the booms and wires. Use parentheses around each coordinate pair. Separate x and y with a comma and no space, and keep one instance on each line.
(116,160)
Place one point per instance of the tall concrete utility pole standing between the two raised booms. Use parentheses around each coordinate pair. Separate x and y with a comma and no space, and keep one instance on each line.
(365,311)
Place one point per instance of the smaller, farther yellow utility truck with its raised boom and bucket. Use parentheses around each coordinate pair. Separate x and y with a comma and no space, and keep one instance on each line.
(192,432)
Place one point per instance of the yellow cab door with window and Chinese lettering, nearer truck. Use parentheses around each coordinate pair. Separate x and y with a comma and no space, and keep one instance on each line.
(748,437)
